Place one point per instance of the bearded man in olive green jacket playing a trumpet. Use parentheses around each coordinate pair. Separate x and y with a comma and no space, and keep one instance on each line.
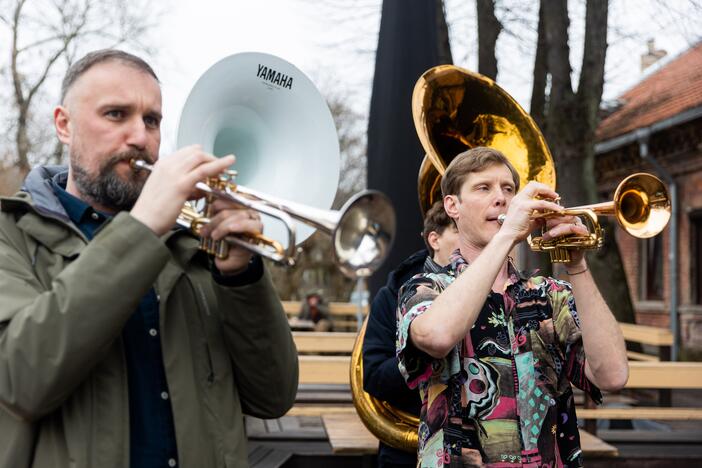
(121,343)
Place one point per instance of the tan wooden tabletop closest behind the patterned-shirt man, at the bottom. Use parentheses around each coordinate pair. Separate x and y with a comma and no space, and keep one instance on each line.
(348,435)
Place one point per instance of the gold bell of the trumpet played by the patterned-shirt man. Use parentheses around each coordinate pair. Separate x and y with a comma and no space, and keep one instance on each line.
(642,205)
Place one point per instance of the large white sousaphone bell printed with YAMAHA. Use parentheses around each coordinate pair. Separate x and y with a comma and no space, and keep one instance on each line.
(267,113)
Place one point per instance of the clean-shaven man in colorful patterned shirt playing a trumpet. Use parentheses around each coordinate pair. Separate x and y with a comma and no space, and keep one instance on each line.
(493,351)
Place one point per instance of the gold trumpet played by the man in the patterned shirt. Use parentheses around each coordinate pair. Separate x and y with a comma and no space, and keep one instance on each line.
(641,205)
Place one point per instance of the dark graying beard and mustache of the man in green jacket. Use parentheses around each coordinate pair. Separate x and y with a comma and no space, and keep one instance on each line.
(107,188)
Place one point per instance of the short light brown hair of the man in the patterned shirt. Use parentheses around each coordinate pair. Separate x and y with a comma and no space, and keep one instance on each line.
(474,160)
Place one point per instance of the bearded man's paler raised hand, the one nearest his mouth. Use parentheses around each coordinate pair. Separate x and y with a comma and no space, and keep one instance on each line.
(172,182)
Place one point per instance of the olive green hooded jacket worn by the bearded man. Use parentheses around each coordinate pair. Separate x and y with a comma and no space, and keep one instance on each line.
(63,305)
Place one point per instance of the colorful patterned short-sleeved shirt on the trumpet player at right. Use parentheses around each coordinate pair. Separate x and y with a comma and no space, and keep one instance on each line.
(502,397)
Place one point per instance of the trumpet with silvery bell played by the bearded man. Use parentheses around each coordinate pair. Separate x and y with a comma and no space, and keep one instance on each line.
(362,230)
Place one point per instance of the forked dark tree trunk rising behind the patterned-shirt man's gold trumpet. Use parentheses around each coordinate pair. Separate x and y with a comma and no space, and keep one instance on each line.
(571,121)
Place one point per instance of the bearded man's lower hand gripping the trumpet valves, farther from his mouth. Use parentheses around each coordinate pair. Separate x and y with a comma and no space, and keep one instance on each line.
(231,219)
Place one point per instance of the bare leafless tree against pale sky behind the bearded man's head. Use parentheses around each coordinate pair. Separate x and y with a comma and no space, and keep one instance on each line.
(44,37)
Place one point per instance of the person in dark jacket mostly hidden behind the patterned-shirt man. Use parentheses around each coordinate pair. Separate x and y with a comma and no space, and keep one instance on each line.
(381,377)
